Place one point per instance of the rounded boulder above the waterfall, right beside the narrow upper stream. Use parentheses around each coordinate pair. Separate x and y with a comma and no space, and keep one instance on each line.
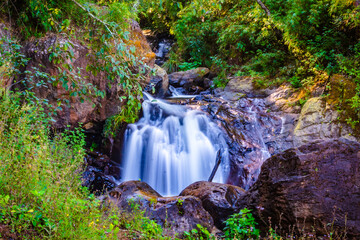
(188,79)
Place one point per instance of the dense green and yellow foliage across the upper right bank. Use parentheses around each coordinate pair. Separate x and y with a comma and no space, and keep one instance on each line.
(303,42)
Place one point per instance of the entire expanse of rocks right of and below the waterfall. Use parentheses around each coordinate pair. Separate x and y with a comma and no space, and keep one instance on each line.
(297,166)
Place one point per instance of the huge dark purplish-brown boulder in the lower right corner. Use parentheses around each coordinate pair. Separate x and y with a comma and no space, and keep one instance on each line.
(310,188)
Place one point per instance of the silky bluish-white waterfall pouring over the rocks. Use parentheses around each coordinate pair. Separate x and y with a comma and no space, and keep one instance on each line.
(171,147)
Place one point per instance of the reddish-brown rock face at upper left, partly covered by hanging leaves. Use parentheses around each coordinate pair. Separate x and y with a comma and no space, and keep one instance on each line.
(38,52)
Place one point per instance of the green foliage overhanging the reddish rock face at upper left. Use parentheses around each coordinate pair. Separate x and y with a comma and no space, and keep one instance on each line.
(104,29)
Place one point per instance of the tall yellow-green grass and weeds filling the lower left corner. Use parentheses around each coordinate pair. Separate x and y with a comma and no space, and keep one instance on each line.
(41,196)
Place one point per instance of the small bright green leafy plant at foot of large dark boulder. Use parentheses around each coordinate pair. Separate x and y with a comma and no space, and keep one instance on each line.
(241,226)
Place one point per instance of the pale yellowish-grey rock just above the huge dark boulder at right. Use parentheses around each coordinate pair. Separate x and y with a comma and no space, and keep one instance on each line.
(319,121)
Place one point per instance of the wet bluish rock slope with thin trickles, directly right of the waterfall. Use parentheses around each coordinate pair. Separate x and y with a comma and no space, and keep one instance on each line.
(253,133)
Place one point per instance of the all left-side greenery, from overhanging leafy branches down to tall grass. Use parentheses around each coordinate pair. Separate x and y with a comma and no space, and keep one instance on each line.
(41,194)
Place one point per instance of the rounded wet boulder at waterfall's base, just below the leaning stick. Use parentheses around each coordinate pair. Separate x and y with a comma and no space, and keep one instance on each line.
(220,200)
